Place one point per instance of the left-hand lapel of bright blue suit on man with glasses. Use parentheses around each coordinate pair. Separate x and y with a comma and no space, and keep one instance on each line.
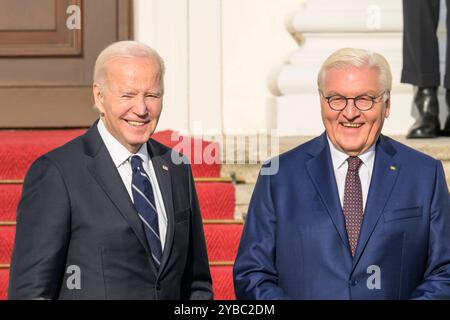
(320,169)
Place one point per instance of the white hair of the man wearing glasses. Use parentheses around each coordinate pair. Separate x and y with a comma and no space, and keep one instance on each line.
(358,58)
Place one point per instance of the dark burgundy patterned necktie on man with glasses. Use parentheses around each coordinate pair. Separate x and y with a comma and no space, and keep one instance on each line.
(353,202)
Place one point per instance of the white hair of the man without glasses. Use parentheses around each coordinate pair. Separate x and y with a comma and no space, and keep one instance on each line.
(126,49)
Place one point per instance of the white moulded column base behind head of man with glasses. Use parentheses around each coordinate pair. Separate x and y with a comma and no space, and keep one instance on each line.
(324,26)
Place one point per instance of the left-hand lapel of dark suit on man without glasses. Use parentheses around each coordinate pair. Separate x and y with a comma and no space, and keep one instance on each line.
(102,168)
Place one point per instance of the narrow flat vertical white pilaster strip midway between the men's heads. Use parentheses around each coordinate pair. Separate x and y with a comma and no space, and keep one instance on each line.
(205,65)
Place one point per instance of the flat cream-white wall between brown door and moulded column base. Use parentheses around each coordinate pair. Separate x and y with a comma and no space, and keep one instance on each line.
(219,54)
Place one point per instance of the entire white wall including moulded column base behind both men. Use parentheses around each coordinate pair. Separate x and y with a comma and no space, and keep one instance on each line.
(222,57)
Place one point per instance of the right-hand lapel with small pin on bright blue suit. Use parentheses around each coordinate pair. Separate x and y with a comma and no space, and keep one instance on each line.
(384,175)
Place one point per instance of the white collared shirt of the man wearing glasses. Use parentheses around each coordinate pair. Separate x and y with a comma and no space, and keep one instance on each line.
(340,167)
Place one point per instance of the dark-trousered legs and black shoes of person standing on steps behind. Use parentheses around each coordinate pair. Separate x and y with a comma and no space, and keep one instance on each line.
(421,66)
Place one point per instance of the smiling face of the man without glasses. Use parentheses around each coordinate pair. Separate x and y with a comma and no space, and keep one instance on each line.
(130,101)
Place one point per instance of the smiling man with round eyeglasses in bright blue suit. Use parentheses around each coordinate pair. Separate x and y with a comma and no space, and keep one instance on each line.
(351,214)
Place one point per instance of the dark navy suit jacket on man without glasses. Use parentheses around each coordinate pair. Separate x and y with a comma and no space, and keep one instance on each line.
(76,211)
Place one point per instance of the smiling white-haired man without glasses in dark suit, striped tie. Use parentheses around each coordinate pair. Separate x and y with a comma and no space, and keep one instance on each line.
(109,215)
